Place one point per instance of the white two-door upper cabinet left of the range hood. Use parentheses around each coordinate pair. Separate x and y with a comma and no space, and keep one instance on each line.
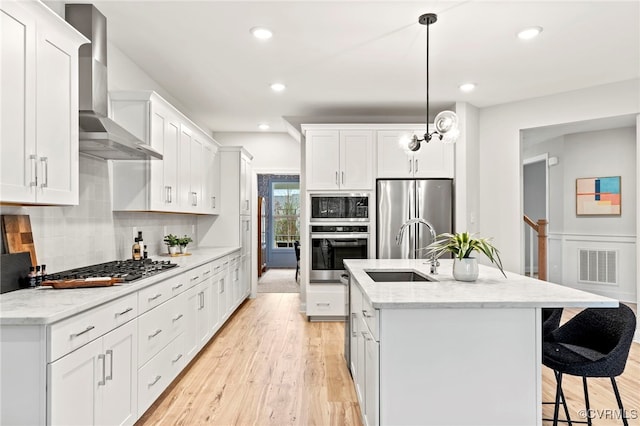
(38,106)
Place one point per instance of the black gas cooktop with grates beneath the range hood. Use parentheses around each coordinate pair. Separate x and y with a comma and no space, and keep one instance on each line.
(129,270)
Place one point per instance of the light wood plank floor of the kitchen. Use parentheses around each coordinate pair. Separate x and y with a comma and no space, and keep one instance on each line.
(270,366)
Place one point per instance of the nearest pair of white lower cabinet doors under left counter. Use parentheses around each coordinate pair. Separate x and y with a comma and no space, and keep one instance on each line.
(96,384)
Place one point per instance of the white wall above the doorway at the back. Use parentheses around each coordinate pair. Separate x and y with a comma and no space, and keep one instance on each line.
(272,152)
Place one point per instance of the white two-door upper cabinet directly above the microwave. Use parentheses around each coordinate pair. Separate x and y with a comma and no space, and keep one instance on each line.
(339,159)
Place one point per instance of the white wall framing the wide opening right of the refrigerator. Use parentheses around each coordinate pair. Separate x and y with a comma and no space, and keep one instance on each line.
(500,189)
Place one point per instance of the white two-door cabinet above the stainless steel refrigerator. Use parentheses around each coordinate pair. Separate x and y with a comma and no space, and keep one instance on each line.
(433,160)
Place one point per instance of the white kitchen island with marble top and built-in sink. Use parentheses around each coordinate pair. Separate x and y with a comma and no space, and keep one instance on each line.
(445,352)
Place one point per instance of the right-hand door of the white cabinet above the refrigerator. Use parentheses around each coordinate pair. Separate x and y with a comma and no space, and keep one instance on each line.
(434,160)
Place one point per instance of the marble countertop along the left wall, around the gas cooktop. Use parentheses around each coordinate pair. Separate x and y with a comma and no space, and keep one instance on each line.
(45,305)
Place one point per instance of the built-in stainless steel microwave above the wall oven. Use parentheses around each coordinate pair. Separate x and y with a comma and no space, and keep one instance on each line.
(339,207)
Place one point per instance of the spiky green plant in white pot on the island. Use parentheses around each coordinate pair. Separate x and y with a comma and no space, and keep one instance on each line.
(461,245)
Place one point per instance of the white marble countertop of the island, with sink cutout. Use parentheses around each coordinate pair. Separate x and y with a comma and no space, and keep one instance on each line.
(491,290)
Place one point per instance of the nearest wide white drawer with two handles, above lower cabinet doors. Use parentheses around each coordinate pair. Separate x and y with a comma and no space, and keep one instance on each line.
(74,332)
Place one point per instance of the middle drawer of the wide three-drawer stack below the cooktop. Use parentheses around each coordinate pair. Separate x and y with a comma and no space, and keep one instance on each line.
(159,326)
